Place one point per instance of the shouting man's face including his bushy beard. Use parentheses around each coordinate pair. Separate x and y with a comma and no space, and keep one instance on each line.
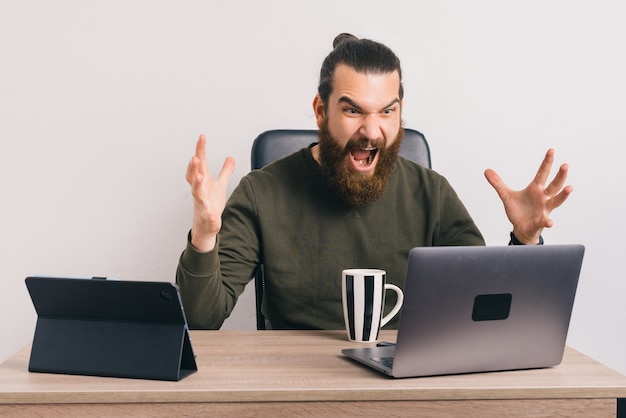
(360,133)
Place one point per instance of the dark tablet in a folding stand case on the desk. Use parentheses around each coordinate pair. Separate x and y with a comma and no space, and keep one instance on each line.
(104,327)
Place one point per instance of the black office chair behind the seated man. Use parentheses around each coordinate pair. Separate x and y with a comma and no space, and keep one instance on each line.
(274,144)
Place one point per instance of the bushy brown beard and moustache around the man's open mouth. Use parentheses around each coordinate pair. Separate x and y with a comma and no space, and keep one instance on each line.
(352,187)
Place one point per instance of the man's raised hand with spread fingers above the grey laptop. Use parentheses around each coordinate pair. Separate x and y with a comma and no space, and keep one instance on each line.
(529,209)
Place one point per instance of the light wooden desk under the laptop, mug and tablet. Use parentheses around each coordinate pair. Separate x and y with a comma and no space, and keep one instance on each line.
(303,373)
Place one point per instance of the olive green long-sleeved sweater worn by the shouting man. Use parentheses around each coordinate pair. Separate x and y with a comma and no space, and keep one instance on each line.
(285,217)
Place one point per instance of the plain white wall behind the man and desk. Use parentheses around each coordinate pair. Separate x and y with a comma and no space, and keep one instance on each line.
(101,104)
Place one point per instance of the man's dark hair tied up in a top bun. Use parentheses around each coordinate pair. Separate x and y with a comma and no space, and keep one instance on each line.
(363,55)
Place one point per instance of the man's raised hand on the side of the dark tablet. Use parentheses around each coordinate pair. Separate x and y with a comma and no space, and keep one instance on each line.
(209,197)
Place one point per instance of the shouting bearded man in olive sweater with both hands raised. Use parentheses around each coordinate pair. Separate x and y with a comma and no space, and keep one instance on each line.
(347,201)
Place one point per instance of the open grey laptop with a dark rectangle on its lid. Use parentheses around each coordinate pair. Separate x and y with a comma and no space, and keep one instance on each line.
(480,309)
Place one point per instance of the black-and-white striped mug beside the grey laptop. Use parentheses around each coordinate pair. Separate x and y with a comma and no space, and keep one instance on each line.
(363,295)
